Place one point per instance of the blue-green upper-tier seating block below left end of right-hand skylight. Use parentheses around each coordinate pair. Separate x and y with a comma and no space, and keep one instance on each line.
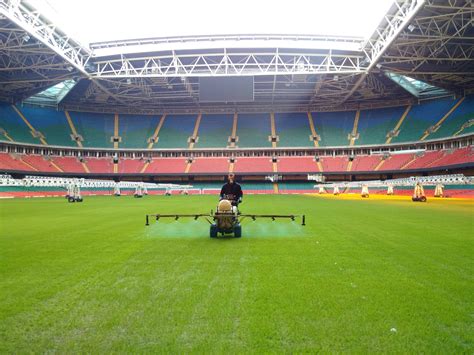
(375,124)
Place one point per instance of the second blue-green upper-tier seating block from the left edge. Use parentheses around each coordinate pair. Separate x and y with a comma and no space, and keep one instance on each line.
(51,123)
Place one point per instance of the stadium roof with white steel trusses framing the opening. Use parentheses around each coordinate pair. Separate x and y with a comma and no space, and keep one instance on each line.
(428,42)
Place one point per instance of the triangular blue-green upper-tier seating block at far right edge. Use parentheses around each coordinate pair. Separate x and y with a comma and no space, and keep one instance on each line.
(462,114)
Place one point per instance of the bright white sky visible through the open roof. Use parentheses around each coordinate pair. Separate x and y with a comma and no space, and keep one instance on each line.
(106,20)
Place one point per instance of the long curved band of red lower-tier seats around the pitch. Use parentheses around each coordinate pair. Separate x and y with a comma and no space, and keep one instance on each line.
(242,165)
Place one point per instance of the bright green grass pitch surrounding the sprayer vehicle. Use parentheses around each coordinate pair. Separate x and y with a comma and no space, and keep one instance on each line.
(362,276)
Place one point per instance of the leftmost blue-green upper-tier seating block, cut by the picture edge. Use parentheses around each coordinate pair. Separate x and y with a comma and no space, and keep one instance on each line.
(16,128)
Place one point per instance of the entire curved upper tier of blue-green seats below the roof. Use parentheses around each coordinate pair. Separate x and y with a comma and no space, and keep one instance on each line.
(253,130)
